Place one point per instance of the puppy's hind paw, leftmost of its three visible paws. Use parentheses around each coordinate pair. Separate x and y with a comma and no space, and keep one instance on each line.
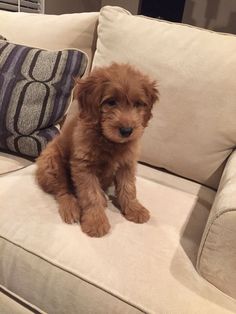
(69,209)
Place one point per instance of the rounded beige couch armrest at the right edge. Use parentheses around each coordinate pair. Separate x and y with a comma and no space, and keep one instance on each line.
(217,252)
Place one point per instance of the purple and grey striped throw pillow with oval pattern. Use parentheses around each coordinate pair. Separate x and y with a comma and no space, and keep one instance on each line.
(35,88)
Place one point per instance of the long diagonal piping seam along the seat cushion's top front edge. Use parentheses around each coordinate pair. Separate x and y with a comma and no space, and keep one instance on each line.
(76,275)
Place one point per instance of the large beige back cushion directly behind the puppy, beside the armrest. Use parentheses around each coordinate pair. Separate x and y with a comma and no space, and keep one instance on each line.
(193,129)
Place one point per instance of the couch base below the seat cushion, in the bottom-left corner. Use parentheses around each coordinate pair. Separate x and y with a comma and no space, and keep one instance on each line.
(11,303)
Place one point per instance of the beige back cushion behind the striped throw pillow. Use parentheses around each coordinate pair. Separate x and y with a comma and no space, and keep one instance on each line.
(53,32)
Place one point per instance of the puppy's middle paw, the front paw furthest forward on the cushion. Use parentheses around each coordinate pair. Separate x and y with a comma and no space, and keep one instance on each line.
(95,223)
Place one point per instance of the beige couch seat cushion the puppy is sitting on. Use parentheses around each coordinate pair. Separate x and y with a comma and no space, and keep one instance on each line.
(134,269)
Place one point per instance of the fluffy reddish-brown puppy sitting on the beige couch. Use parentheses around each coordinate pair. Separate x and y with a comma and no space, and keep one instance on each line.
(99,147)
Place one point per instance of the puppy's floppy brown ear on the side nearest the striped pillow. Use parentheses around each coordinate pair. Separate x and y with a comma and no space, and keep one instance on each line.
(89,94)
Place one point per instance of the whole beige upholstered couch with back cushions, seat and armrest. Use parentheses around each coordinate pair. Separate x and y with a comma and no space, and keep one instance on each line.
(183,260)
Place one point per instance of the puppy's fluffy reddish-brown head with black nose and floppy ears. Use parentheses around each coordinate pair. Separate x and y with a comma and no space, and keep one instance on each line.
(119,100)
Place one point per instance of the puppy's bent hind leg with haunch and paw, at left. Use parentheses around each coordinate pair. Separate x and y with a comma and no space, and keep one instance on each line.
(53,177)
